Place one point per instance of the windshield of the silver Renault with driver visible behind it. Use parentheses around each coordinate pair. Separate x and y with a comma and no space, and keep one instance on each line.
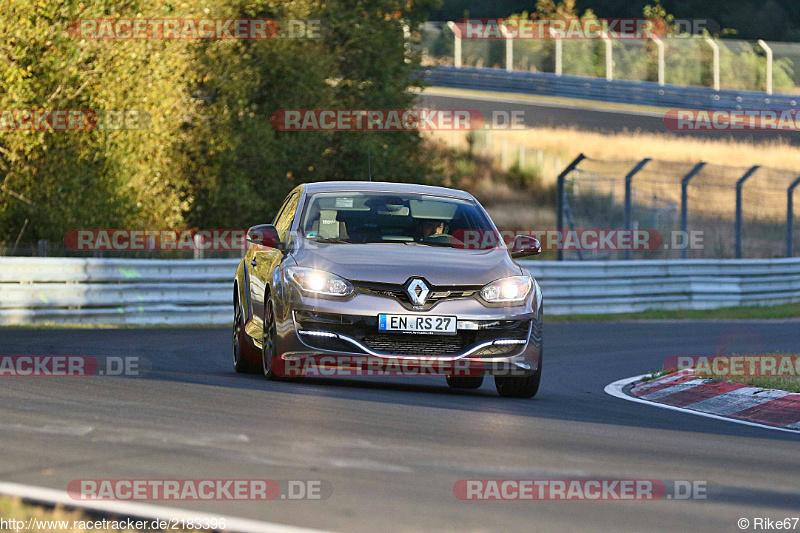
(366,217)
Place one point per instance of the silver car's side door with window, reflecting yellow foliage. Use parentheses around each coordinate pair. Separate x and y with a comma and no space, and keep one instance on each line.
(261,261)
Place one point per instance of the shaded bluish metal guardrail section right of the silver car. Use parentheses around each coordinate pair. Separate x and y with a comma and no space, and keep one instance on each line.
(632,286)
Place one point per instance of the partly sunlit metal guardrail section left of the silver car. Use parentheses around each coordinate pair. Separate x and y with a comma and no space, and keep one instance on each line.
(115,291)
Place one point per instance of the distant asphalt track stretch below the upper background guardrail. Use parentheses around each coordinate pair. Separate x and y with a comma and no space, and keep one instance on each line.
(582,117)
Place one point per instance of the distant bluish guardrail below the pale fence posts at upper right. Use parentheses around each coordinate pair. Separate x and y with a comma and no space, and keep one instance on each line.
(622,91)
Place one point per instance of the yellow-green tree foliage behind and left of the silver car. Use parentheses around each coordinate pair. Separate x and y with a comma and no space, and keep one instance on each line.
(207,156)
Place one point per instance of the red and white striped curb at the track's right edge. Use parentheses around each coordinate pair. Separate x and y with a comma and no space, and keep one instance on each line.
(722,400)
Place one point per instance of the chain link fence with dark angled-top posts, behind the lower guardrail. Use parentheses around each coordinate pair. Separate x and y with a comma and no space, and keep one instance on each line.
(701,210)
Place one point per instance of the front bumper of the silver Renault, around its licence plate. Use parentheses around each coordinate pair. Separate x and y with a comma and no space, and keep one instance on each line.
(343,336)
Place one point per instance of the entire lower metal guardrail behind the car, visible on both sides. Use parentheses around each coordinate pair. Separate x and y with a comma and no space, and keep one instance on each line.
(185,292)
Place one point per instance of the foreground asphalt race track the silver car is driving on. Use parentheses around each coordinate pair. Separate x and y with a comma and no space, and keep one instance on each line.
(392,449)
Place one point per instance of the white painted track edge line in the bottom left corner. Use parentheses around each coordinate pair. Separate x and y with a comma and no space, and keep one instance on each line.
(144,510)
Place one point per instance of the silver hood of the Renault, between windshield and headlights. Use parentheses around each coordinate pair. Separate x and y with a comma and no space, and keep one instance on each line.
(395,263)
